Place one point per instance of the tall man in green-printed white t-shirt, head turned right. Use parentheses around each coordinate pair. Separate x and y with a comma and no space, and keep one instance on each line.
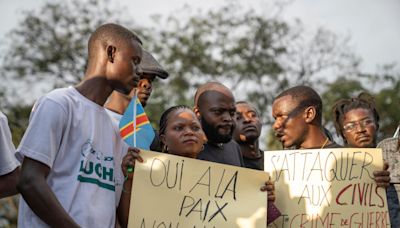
(70,148)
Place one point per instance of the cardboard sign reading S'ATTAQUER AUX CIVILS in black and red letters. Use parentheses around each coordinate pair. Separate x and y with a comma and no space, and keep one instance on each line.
(328,188)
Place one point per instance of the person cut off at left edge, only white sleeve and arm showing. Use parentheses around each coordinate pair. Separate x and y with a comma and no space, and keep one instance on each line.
(9,165)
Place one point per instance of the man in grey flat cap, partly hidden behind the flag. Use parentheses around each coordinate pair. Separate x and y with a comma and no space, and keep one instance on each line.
(118,102)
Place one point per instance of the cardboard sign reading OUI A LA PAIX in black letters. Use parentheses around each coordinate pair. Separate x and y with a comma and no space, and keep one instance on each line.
(173,191)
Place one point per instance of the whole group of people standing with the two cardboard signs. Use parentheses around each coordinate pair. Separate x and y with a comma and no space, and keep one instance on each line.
(71,167)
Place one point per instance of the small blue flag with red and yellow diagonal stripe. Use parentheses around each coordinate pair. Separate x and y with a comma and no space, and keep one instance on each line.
(144,134)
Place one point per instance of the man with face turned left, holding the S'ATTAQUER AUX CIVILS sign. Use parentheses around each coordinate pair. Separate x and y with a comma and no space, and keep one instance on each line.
(298,124)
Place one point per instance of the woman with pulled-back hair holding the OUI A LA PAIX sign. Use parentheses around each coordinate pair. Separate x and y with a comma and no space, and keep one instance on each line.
(180,134)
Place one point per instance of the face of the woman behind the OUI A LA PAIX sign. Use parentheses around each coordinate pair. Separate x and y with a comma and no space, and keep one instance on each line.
(183,134)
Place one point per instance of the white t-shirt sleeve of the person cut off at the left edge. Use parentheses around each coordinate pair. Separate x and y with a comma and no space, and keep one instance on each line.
(8,162)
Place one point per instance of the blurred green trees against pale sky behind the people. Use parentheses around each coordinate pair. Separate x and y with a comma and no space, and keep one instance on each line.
(257,55)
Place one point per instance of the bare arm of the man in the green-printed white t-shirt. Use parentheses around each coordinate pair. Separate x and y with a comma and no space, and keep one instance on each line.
(38,195)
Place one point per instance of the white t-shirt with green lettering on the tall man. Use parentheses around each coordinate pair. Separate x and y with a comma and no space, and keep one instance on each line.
(77,140)
